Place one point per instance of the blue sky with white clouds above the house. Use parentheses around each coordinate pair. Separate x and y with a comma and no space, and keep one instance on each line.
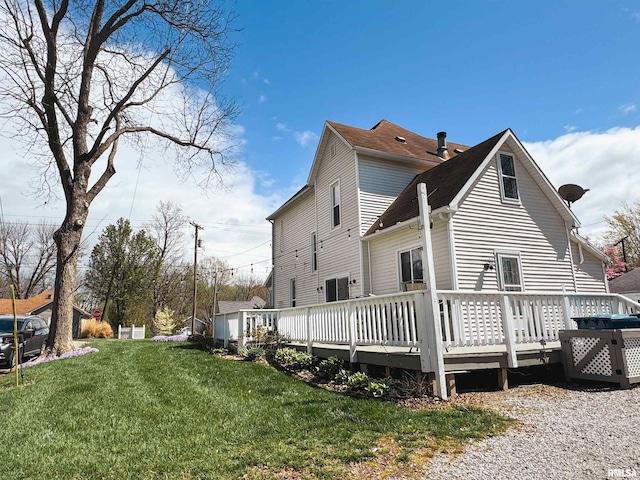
(564,76)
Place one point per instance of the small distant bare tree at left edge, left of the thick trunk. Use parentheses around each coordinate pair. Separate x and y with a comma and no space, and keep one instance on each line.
(28,256)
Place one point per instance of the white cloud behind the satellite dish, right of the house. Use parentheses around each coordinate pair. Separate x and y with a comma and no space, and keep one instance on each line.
(604,162)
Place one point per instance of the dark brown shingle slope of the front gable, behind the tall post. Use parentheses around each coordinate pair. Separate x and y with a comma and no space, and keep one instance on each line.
(444,182)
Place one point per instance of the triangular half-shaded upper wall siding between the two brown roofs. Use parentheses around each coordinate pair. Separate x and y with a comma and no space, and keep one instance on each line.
(380,183)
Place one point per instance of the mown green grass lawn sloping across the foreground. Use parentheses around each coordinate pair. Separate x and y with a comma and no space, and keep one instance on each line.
(145,410)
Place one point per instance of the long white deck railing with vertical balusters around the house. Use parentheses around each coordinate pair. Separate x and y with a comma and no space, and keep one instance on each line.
(466,319)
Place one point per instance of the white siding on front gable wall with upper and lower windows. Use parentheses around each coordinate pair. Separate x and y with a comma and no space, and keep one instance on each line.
(533,227)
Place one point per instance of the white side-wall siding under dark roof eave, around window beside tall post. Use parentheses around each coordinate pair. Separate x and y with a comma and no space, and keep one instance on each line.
(385,261)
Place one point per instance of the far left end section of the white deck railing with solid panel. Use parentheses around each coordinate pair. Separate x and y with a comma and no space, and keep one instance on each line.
(239,326)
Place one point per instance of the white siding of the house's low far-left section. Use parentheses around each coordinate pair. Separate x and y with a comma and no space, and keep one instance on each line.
(294,235)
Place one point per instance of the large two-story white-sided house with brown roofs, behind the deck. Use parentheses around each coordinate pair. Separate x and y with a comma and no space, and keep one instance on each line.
(497,222)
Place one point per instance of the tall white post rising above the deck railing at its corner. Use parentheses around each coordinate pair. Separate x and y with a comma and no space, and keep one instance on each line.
(433,340)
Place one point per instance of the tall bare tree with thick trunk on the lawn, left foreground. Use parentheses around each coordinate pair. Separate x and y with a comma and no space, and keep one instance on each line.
(79,76)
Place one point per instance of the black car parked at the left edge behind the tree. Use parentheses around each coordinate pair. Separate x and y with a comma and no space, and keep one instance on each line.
(33,333)
